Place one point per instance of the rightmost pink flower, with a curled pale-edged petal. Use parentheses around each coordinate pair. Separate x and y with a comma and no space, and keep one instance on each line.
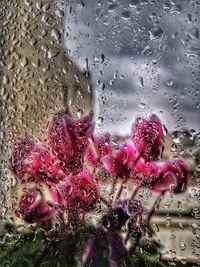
(173,177)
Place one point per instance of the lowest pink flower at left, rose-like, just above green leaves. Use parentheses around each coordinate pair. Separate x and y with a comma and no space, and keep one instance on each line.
(33,208)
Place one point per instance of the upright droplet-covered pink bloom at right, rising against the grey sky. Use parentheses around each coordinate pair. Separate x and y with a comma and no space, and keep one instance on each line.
(148,137)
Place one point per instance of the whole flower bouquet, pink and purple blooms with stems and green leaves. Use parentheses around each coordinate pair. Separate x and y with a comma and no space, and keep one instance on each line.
(72,208)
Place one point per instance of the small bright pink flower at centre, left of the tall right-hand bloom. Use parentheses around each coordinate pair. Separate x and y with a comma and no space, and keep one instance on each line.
(121,163)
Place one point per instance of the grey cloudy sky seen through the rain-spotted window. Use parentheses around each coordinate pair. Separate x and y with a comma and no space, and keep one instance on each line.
(144,58)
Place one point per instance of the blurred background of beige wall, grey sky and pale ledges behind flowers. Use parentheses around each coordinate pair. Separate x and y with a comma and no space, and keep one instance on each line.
(121,59)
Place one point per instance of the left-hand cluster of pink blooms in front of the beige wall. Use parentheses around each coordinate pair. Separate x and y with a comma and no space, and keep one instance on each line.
(60,168)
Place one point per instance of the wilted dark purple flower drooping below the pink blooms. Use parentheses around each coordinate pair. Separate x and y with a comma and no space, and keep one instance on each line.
(108,236)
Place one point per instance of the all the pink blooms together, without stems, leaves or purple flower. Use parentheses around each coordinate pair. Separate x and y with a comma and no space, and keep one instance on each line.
(61,165)
